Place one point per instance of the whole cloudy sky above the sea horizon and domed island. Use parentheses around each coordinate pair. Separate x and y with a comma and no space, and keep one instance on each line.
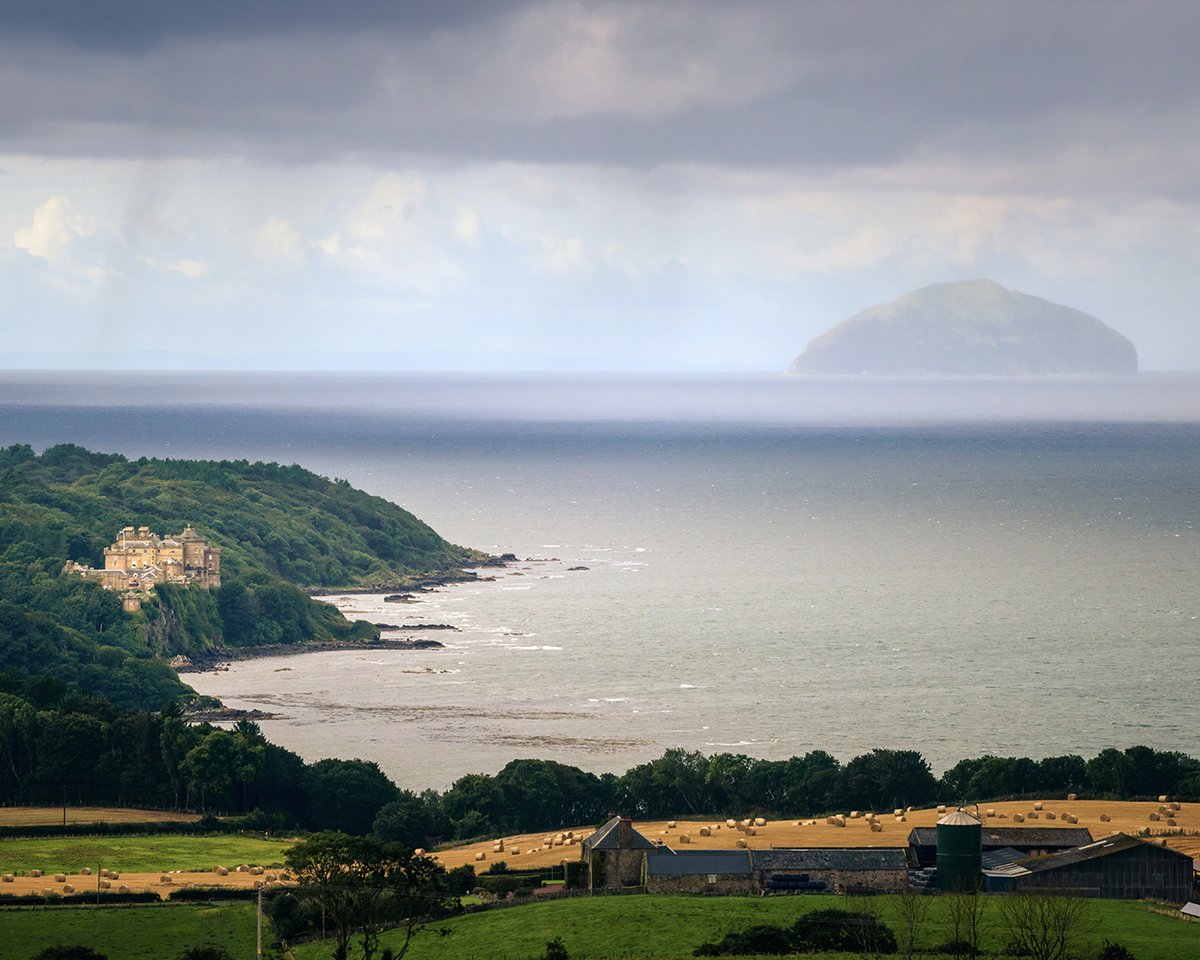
(580,187)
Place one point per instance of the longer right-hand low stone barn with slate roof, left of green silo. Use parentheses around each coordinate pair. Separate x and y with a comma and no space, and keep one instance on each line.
(836,869)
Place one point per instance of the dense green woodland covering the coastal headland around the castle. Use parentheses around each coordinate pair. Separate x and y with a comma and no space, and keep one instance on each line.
(283,530)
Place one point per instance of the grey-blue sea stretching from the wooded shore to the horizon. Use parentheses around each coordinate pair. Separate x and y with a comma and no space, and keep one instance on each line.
(754,565)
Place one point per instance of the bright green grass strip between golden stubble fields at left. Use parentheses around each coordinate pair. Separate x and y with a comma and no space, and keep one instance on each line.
(135,855)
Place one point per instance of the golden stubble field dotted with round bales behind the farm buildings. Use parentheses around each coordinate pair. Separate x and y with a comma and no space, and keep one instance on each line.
(1124,817)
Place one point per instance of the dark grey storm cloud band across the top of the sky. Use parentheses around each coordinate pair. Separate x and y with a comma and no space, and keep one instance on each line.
(623,83)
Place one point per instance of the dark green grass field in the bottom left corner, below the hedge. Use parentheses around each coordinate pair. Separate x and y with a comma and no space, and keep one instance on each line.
(129,933)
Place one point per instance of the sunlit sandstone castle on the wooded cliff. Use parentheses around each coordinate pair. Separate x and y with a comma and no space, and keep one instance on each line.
(140,560)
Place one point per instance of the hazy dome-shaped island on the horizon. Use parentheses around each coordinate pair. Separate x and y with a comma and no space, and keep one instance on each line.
(971,328)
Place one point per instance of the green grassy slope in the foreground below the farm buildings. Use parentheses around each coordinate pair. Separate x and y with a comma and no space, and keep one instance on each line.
(669,928)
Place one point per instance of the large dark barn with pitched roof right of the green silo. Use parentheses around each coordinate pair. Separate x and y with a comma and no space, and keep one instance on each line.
(1119,868)
